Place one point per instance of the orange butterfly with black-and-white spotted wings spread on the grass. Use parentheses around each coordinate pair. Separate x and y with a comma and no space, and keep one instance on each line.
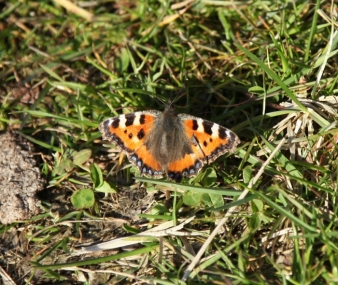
(167,143)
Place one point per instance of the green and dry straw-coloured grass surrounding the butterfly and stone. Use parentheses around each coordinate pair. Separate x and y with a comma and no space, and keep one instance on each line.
(265,69)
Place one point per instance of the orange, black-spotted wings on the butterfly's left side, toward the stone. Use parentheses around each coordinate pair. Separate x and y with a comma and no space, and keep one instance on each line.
(129,132)
